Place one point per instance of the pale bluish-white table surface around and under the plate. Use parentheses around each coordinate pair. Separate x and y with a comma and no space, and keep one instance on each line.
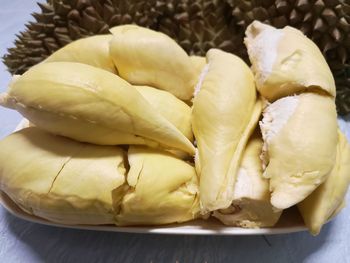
(21,241)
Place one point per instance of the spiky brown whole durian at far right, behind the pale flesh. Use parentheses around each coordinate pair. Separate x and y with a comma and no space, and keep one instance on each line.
(326,22)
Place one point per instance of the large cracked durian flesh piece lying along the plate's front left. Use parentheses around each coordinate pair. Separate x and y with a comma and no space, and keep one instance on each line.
(69,182)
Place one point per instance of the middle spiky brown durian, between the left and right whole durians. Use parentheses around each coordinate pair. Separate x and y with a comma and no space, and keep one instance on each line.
(201,25)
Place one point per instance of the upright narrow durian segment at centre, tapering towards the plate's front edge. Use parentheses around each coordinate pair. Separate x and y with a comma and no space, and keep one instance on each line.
(222,110)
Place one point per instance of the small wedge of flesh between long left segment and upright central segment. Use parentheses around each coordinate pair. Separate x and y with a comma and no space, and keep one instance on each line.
(171,108)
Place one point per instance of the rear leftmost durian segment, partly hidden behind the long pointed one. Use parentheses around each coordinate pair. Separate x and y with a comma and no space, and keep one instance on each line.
(93,51)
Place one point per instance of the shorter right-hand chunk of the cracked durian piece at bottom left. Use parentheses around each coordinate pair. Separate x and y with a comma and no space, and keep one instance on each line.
(163,189)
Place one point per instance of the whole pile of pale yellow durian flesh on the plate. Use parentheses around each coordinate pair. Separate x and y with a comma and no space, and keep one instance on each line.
(128,129)
